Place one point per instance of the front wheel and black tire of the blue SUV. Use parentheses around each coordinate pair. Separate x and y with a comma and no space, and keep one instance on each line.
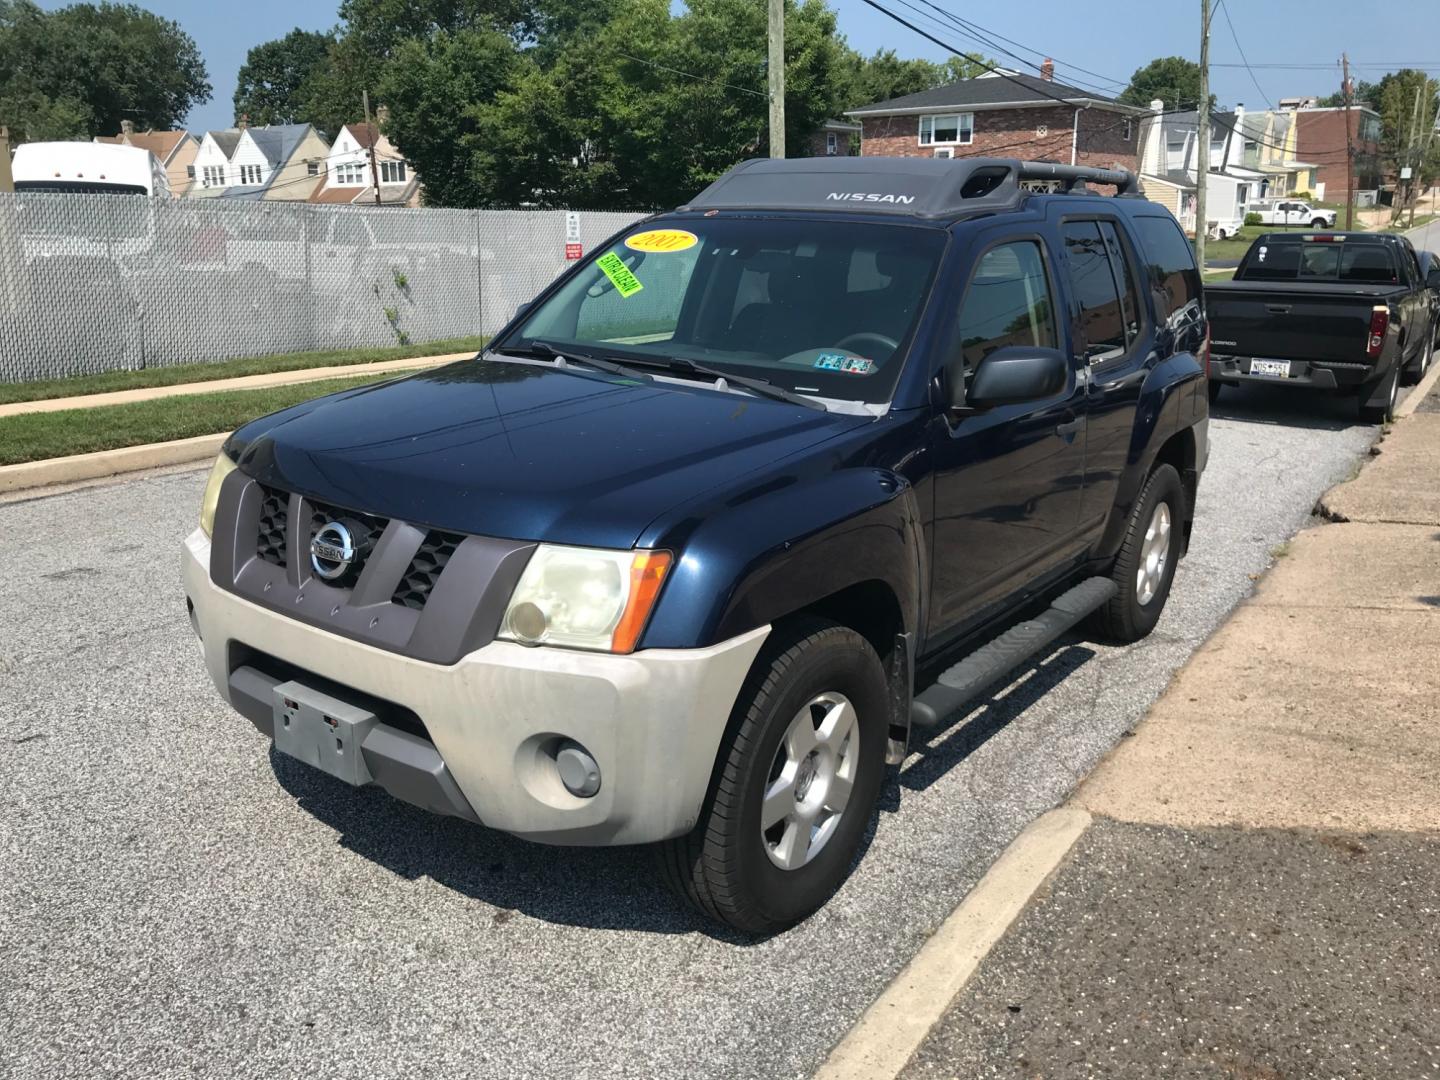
(729,868)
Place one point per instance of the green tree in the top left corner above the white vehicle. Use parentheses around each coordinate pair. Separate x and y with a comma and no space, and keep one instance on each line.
(78,71)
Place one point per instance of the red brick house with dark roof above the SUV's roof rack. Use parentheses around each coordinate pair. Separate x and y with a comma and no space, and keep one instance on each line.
(1004,116)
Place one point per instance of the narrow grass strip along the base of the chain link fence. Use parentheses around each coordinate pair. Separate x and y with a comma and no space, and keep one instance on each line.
(227,369)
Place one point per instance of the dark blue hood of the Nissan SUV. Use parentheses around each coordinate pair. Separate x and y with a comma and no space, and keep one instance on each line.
(526,451)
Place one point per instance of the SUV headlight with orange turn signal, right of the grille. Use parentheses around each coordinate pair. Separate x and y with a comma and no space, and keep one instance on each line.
(585,598)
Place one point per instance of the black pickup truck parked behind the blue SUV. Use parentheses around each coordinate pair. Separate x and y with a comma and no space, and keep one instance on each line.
(1344,312)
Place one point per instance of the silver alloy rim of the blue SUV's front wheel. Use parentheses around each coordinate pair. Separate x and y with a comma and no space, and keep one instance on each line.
(811,781)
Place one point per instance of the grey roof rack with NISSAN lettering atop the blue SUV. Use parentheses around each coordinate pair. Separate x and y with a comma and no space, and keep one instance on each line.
(904,186)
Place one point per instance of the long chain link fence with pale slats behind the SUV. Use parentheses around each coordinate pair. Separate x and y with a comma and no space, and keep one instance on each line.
(103,283)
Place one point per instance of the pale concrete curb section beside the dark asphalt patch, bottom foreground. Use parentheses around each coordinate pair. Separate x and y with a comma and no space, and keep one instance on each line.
(895,1026)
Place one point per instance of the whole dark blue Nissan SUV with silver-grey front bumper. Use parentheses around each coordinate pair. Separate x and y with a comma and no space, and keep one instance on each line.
(724,515)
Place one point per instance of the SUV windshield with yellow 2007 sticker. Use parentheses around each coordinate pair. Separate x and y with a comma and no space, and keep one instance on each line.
(820,307)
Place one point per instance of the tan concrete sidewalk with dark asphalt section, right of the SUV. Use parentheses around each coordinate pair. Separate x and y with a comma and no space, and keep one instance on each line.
(1261,892)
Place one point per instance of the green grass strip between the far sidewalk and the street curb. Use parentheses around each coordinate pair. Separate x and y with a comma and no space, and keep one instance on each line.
(38,436)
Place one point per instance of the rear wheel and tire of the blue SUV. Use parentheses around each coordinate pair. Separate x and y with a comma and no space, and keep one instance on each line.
(1137,607)
